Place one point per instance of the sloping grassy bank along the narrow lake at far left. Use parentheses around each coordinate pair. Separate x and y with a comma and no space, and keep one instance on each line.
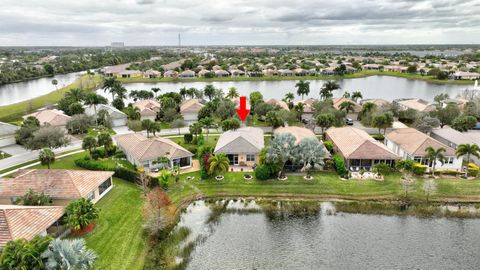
(14,112)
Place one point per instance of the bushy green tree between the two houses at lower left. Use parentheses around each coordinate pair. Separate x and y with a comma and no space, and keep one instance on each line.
(80,213)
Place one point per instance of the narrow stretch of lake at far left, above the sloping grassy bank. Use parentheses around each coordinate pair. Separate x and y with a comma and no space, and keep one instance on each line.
(16,92)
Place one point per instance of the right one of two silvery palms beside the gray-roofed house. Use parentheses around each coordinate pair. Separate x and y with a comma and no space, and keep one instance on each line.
(311,153)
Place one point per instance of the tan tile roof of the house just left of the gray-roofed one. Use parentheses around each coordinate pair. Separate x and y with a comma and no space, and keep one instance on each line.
(142,148)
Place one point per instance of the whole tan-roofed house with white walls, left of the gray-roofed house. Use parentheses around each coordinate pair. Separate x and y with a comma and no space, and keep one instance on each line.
(145,152)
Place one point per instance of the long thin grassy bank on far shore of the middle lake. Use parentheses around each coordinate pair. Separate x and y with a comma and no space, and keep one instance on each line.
(360,74)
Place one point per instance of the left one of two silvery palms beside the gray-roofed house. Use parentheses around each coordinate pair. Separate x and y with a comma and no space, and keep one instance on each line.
(282,149)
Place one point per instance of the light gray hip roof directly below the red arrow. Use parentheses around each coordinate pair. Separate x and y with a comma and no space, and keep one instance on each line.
(248,140)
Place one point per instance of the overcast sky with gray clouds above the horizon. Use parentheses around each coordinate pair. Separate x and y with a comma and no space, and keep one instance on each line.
(238,22)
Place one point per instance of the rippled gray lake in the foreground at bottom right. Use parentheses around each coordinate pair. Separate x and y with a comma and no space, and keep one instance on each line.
(262,240)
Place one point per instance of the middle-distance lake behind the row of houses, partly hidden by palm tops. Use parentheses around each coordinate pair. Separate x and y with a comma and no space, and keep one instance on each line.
(385,87)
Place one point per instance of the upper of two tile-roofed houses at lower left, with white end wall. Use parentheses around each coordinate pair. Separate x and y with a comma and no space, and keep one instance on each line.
(62,186)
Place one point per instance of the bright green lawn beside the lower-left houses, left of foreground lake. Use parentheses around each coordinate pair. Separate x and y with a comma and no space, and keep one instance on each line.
(118,237)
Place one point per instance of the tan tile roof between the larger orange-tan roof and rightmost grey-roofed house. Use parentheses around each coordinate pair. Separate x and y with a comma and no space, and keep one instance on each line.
(415,142)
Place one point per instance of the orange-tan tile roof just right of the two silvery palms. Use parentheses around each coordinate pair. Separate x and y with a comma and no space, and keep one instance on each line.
(354,143)
